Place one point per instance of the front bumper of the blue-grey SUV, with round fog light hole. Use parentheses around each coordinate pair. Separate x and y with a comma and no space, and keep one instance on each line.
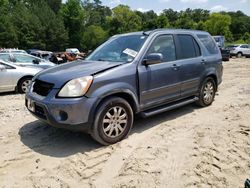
(66,113)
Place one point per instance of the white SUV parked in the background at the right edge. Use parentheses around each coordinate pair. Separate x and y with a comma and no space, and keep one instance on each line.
(239,50)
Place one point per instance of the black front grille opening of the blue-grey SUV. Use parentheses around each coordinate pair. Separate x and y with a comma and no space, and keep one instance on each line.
(42,88)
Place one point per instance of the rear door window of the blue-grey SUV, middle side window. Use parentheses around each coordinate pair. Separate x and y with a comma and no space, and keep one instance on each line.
(188,47)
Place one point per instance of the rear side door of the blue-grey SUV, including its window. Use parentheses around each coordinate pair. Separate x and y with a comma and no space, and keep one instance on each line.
(191,64)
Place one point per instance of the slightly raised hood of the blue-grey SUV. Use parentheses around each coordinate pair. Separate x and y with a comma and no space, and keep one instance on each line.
(61,74)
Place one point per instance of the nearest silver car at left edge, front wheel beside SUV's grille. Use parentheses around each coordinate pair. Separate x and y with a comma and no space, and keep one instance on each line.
(14,77)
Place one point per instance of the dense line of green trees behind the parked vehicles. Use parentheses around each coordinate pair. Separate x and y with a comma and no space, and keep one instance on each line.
(84,24)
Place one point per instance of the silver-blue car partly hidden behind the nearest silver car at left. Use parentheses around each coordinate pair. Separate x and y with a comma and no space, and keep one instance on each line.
(26,60)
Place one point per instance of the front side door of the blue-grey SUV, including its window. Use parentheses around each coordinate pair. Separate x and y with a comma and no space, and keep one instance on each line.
(160,83)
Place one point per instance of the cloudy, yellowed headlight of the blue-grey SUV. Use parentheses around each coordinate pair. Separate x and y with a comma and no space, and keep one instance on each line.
(76,87)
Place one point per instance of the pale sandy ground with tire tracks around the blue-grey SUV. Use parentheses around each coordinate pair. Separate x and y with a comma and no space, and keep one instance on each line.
(187,147)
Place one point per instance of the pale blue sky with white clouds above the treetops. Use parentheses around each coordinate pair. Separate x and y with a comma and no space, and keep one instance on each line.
(159,5)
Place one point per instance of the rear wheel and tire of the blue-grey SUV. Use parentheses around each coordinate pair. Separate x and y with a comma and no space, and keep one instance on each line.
(207,92)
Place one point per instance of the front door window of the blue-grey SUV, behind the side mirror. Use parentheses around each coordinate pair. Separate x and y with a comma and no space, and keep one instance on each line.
(164,44)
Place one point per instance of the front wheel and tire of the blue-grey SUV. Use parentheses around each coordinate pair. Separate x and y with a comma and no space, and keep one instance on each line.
(109,128)
